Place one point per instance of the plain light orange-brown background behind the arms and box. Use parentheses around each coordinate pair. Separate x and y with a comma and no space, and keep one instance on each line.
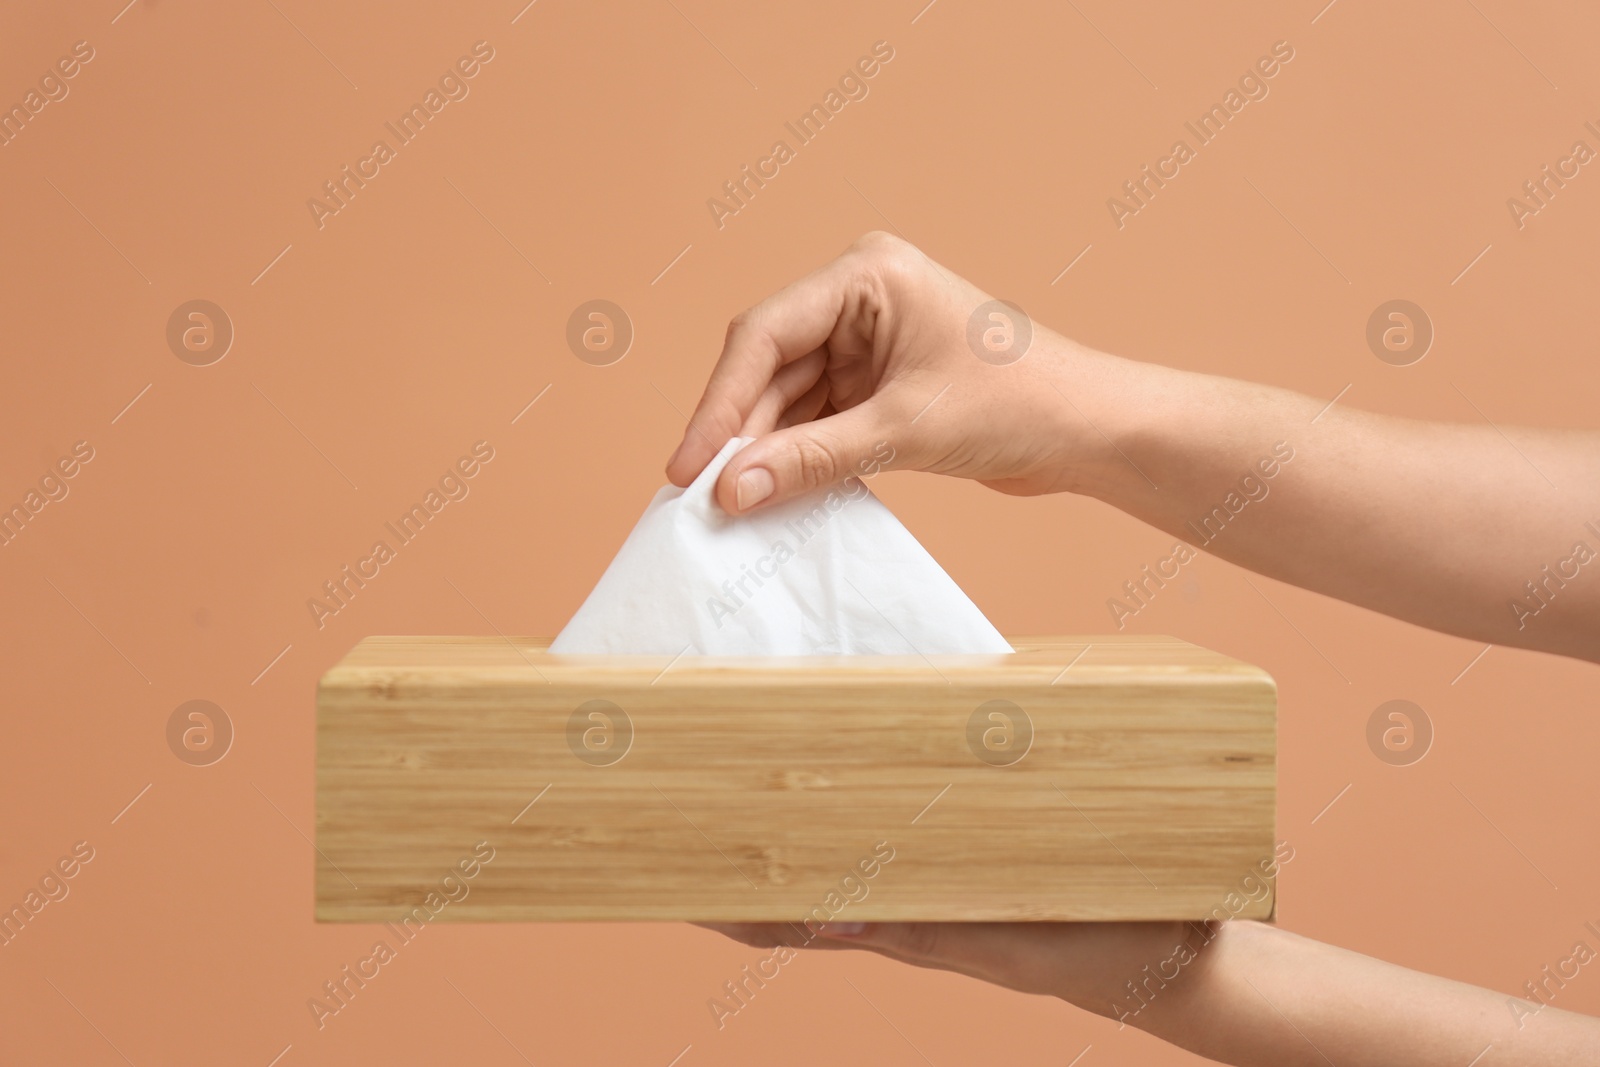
(386,343)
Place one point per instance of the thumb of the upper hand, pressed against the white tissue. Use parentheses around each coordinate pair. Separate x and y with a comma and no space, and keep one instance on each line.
(810,457)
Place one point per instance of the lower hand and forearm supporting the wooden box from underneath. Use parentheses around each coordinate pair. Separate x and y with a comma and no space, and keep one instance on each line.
(1239,993)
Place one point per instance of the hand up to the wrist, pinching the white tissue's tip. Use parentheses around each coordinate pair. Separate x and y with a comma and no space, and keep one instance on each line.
(874,348)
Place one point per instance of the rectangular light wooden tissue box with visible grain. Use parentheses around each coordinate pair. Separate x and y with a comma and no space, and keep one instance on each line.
(1097,778)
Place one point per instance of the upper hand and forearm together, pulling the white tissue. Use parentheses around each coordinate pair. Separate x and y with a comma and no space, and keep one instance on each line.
(1481,530)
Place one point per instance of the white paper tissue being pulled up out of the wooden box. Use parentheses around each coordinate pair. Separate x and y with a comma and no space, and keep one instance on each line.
(828,573)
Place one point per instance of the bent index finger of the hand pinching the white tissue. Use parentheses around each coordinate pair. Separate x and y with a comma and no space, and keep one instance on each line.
(783,329)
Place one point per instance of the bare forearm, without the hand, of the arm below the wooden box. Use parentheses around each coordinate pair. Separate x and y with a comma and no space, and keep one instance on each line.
(1263,996)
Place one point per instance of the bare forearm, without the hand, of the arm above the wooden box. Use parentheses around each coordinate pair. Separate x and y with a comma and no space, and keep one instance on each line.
(1444,526)
